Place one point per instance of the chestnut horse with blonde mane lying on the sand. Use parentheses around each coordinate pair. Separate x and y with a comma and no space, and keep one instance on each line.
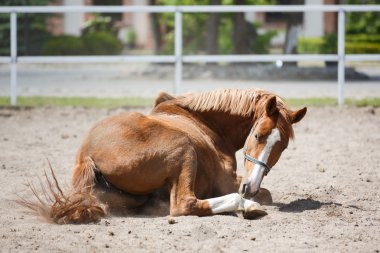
(185,148)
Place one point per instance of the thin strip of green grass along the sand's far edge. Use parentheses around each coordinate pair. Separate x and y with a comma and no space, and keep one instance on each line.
(148,102)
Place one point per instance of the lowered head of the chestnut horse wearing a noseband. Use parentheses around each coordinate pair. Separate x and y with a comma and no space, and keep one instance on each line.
(268,138)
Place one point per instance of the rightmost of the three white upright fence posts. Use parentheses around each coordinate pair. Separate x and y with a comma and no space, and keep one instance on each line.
(341,56)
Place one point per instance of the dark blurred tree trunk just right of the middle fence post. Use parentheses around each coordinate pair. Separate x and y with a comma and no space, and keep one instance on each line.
(213,30)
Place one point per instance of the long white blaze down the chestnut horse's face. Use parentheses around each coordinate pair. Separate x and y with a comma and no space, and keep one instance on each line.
(254,180)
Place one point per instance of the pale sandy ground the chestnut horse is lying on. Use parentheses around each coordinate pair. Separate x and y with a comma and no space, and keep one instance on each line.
(325,190)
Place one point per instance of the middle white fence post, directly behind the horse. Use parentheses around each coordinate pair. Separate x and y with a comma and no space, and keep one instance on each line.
(178,51)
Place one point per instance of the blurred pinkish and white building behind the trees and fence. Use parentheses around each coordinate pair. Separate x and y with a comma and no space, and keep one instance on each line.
(311,24)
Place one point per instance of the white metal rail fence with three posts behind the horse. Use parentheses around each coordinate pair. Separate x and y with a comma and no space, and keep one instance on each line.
(178,58)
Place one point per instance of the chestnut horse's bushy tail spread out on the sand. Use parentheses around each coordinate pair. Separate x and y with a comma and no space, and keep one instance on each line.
(79,205)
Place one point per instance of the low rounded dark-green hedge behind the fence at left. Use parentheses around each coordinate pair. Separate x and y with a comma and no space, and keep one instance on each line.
(97,43)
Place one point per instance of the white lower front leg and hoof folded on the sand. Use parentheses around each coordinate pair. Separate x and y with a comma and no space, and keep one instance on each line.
(234,202)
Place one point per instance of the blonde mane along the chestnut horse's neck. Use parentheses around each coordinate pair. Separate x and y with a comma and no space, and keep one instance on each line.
(235,101)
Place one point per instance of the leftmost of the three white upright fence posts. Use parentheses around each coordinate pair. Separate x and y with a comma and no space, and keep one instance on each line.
(13,58)
